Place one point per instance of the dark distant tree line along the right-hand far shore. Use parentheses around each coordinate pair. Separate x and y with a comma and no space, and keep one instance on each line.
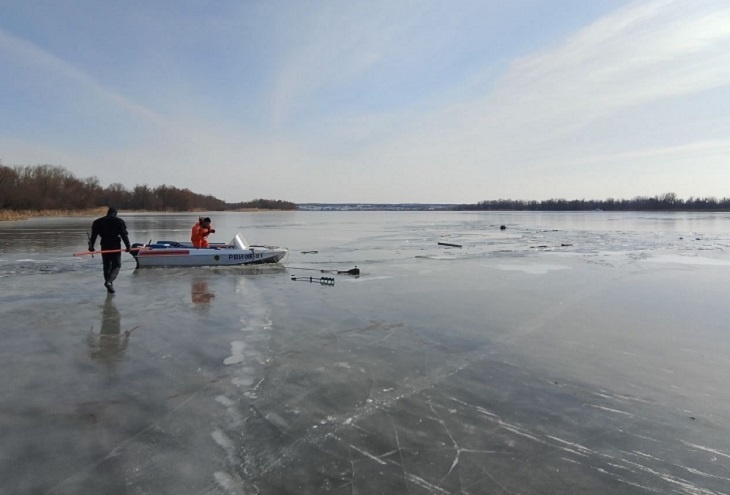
(667,201)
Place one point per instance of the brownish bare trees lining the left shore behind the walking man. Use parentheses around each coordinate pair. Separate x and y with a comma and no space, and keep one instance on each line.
(48,187)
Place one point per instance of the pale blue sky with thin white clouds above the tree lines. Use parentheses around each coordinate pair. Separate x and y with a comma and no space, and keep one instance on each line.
(376,101)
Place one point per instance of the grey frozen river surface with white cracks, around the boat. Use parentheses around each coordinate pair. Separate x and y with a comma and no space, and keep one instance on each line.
(568,353)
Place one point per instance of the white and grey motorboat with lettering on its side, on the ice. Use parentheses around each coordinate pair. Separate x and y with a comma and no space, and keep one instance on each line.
(173,253)
